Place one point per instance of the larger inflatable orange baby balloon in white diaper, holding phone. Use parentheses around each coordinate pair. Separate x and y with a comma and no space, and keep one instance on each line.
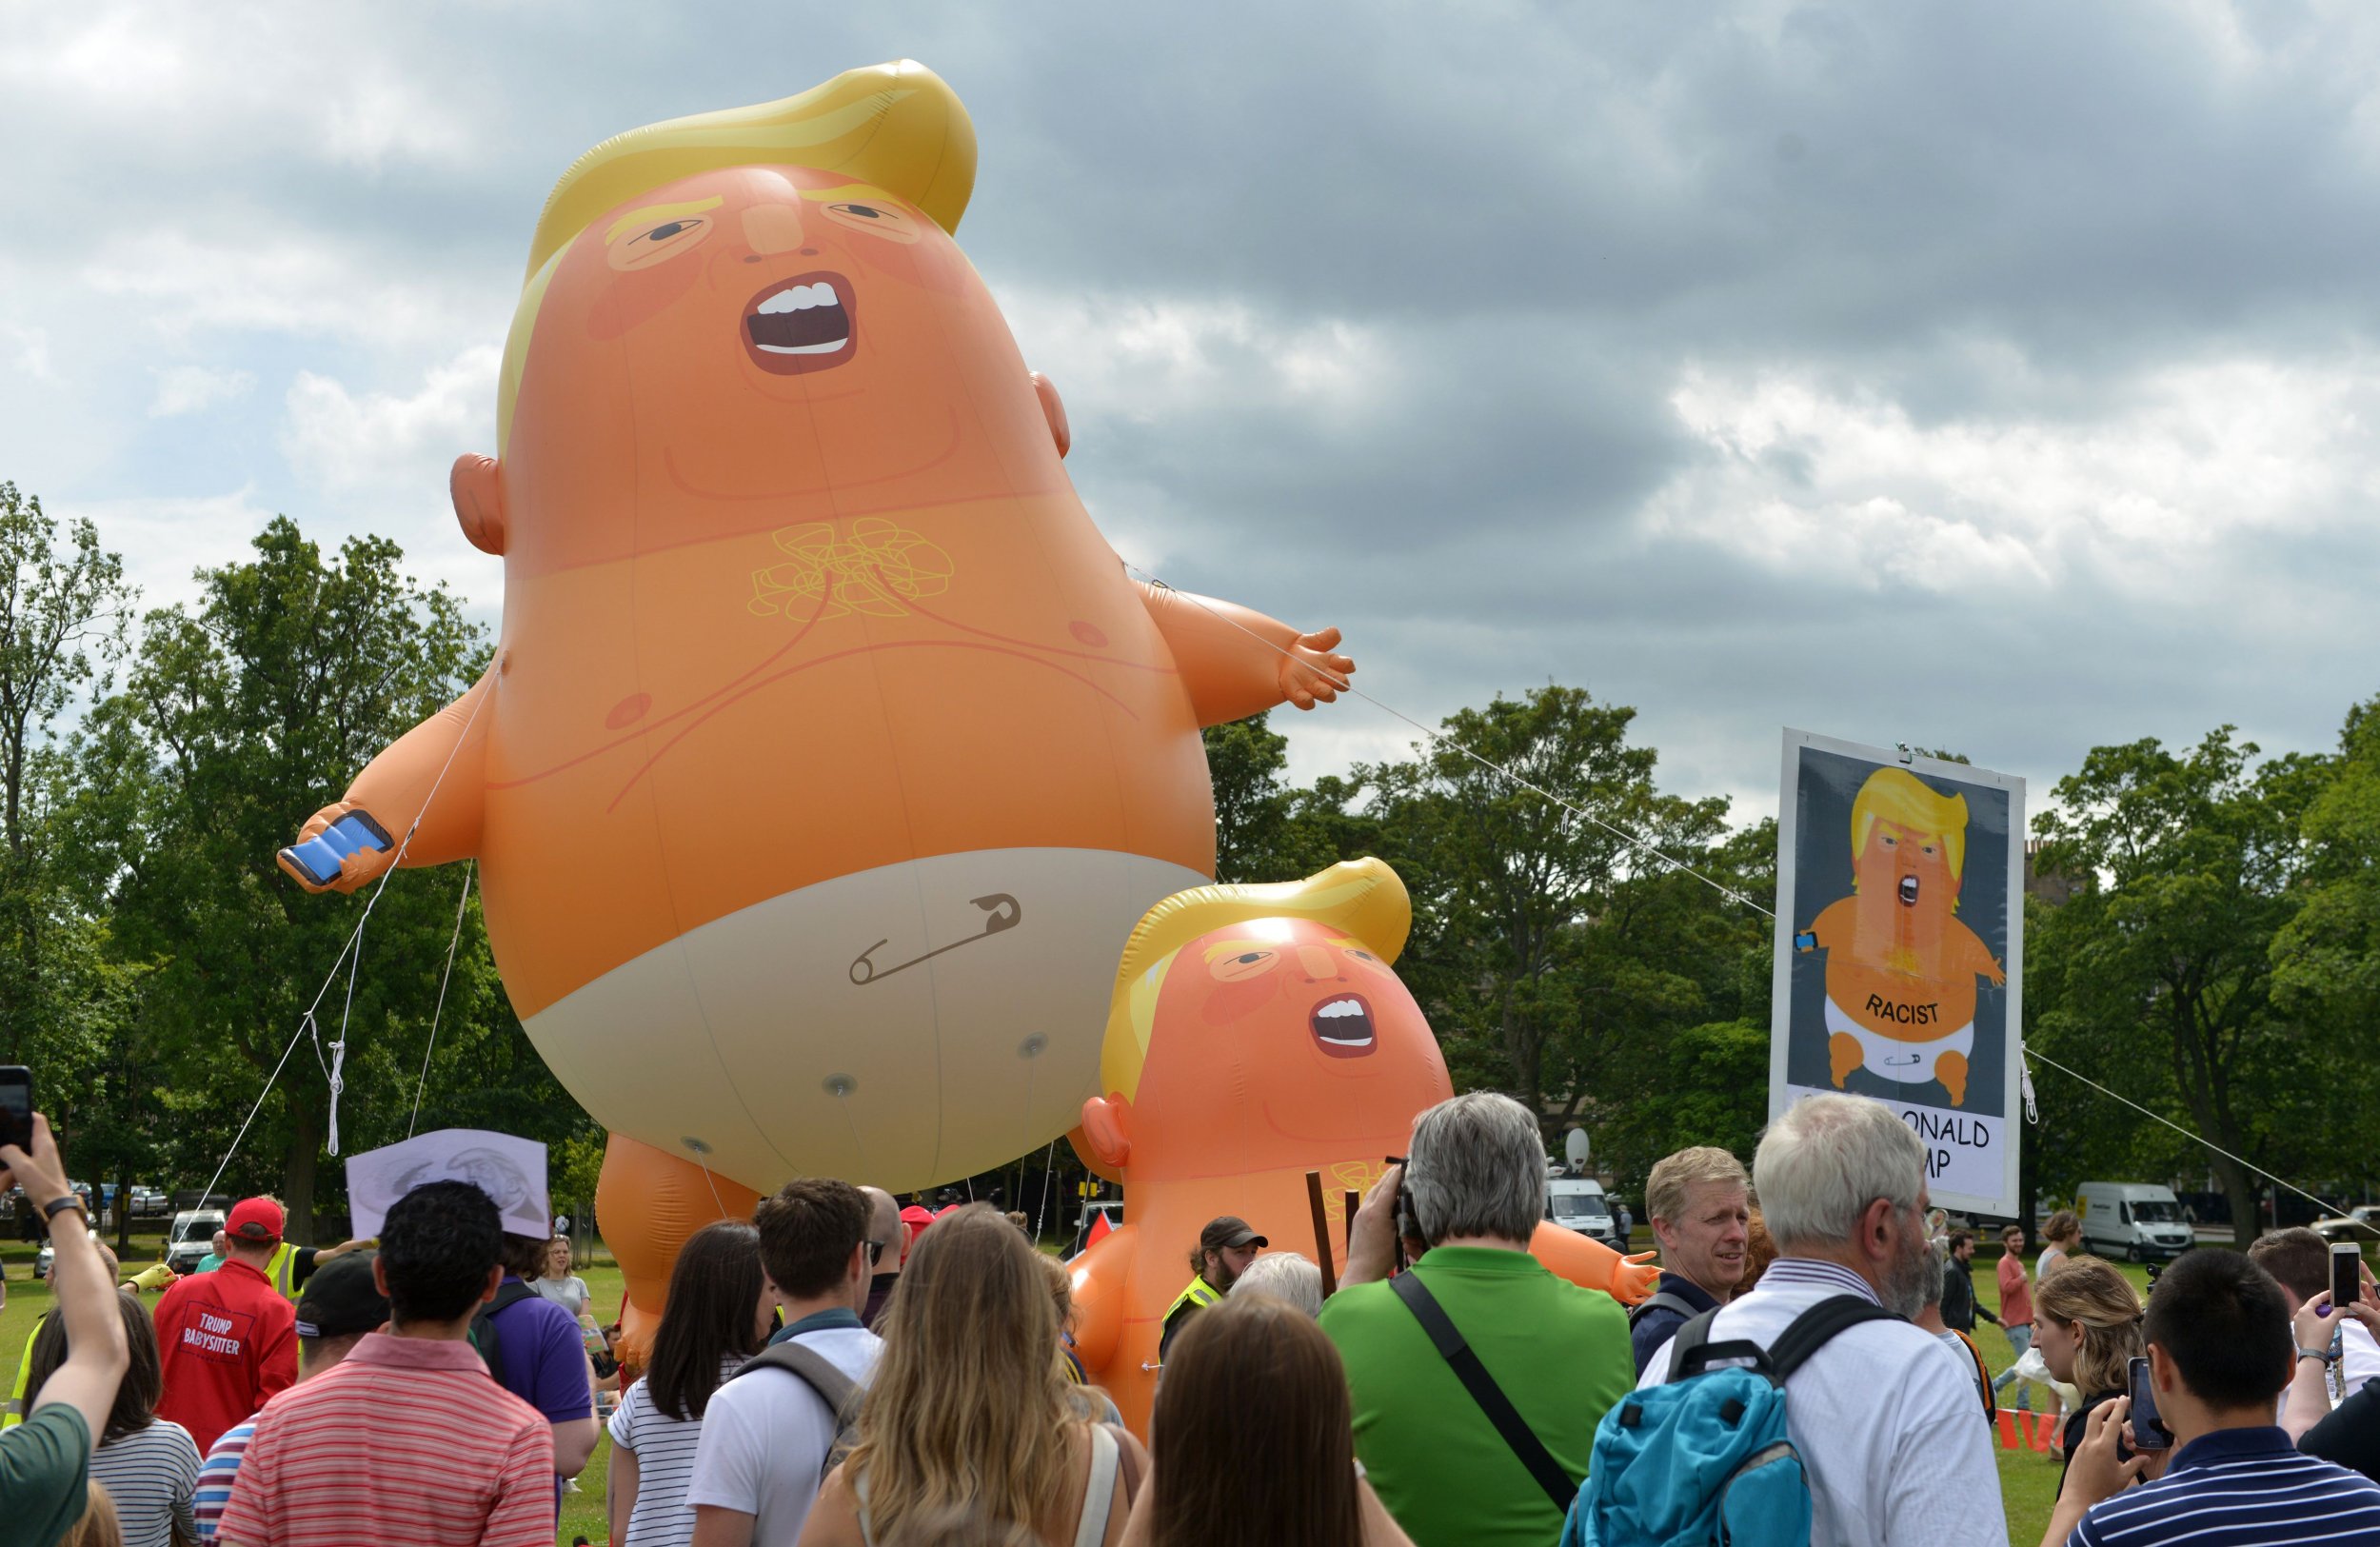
(829,756)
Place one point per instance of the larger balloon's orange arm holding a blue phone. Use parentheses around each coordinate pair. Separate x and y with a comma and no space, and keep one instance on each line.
(396,789)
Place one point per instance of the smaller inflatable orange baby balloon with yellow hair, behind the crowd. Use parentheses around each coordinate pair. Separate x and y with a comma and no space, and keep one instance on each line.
(1260,1034)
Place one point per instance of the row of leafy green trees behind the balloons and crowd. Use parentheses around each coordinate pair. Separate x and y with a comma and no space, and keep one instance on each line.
(2205,939)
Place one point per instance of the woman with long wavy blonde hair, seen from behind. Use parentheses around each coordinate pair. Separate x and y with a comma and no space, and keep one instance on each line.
(970,1408)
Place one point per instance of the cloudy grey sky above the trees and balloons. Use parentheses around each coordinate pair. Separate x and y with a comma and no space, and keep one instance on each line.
(1979,377)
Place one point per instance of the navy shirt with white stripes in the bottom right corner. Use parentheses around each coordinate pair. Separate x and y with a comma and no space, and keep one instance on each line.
(2238,1489)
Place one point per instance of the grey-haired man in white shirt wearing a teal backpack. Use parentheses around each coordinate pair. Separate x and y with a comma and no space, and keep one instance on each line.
(1884,1415)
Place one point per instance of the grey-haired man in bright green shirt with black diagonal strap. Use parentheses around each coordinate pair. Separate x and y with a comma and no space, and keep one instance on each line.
(1477,1377)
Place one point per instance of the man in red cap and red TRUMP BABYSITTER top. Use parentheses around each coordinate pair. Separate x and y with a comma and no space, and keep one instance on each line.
(227,1341)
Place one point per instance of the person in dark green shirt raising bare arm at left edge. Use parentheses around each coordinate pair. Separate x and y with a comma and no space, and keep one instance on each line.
(46,1460)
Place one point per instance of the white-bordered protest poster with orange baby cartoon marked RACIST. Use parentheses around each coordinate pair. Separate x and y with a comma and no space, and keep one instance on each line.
(1900,948)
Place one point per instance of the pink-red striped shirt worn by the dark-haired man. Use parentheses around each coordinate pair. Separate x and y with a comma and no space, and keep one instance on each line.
(406,1436)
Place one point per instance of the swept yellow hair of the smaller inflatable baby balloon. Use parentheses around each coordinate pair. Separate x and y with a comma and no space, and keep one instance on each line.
(1360,896)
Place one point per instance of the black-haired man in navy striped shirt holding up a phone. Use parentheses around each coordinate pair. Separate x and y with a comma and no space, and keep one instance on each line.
(2219,1355)
